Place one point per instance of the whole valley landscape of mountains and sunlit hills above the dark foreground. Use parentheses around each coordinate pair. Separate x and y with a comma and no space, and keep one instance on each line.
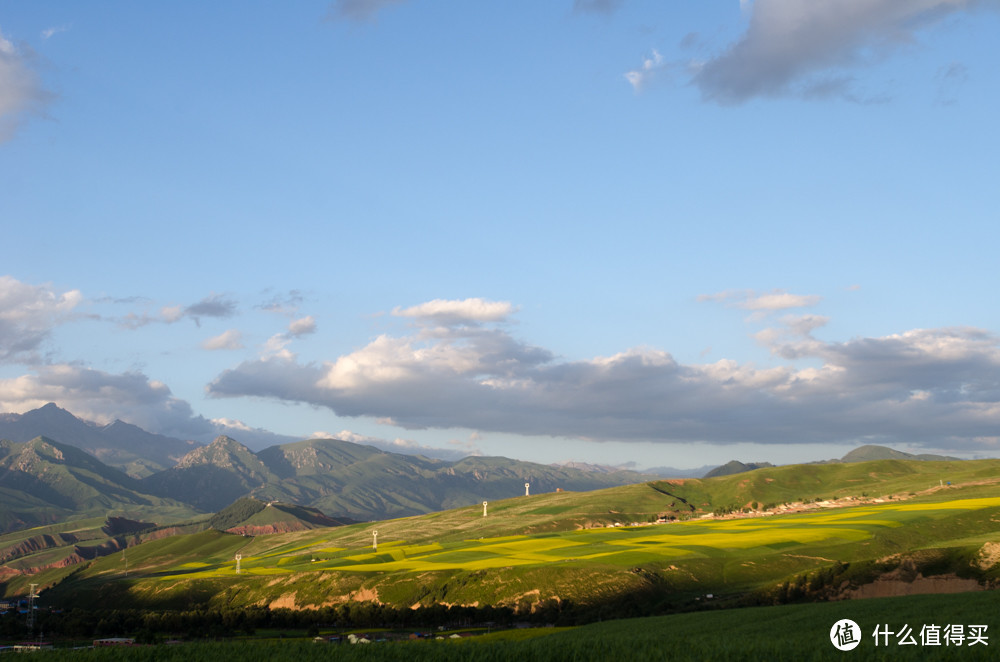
(292,530)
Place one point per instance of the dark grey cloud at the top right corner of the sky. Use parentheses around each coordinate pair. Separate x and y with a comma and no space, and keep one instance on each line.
(806,48)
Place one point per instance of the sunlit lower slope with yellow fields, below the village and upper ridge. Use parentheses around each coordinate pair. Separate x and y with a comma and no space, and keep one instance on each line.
(687,558)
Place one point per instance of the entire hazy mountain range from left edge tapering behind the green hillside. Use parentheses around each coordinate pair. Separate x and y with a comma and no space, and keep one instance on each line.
(48,478)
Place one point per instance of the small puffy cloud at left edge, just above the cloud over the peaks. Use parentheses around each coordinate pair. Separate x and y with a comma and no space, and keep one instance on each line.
(28,313)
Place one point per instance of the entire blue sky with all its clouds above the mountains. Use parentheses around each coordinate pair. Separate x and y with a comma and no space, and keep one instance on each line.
(660,233)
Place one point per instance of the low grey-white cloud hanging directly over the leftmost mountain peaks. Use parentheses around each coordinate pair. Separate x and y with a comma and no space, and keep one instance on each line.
(103,397)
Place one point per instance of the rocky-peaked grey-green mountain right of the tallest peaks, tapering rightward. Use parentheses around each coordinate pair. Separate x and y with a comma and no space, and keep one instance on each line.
(344,479)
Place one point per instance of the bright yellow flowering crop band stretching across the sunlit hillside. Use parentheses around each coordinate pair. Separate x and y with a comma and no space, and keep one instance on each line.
(751,537)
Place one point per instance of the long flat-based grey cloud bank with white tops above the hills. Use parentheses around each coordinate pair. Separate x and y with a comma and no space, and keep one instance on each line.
(937,386)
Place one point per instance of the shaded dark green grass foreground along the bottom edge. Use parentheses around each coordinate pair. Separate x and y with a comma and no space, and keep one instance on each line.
(791,632)
